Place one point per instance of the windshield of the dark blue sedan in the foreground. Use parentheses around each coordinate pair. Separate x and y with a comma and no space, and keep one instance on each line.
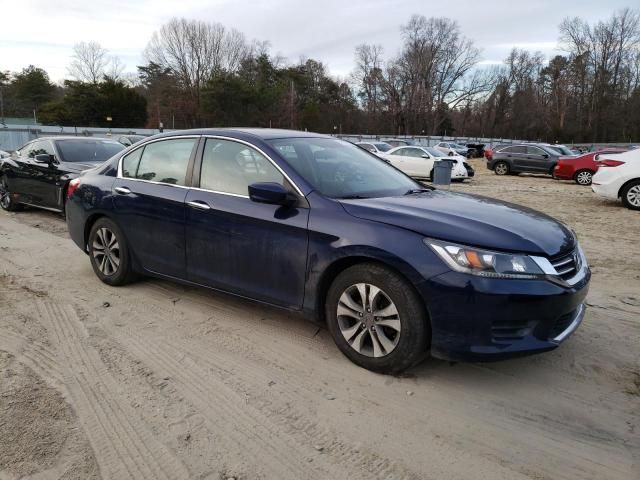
(338,169)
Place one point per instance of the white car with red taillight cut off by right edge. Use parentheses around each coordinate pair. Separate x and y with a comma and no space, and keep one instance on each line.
(618,176)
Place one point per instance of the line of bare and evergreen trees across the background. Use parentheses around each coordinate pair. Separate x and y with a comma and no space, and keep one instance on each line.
(200,73)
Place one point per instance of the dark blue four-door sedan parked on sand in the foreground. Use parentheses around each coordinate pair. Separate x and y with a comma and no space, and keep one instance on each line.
(316,225)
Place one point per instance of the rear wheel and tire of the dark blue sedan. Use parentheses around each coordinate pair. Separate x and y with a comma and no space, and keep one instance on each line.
(109,253)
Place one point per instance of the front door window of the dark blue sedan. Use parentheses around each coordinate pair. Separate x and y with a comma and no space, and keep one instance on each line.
(230,167)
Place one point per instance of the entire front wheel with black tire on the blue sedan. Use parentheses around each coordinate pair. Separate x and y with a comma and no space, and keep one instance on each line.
(403,337)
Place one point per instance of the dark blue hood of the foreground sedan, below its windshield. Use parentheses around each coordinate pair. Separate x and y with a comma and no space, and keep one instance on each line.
(468,219)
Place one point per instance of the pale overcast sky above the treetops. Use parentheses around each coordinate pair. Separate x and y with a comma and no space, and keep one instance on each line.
(43,32)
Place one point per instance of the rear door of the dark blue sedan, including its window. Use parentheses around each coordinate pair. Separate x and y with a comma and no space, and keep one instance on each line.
(149,199)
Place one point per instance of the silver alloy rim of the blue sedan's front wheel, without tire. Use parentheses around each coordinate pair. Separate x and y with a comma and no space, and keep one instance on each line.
(369,320)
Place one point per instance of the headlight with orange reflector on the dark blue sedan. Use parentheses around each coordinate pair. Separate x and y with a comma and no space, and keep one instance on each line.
(485,263)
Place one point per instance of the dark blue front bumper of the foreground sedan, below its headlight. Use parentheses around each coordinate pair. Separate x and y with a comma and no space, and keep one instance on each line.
(481,319)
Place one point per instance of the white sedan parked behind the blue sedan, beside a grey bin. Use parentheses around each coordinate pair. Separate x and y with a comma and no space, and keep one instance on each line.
(418,162)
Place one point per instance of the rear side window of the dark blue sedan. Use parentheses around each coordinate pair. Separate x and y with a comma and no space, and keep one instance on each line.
(165,161)
